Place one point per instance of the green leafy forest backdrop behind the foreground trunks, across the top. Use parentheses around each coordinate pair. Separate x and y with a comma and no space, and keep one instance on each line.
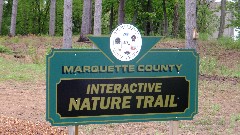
(151,17)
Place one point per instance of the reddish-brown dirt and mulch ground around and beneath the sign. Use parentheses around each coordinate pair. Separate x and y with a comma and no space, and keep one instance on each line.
(23,106)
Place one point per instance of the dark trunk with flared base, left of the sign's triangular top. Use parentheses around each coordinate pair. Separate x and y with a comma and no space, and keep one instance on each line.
(86,21)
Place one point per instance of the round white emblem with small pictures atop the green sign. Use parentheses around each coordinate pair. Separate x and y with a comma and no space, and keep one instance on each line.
(125,42)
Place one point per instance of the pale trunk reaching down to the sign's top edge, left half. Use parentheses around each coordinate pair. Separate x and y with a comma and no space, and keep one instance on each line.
(67,24)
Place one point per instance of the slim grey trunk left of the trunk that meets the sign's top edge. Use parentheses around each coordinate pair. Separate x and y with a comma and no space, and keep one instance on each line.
(52,18)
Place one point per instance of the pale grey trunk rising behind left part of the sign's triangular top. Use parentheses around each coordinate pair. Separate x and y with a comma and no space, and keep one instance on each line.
(97,18)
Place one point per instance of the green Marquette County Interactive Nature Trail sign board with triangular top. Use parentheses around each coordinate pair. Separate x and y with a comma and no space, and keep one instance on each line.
(91,86)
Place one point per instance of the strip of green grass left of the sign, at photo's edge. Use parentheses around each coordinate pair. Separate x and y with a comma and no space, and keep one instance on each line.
(12,70)
